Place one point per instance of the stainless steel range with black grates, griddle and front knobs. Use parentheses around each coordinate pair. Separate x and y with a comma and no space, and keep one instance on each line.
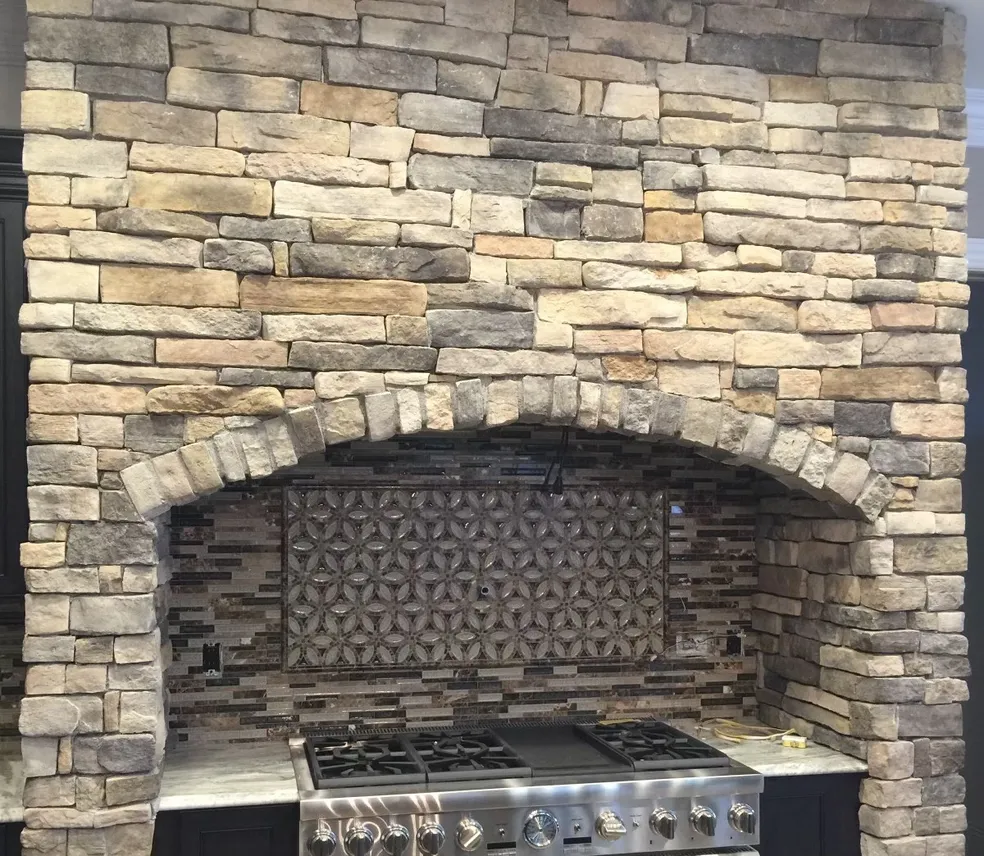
(546,789)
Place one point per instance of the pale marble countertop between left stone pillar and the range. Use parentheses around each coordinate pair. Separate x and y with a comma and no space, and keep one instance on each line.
(238,774)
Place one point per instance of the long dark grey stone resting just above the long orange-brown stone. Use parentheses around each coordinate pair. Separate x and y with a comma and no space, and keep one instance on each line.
(413,264)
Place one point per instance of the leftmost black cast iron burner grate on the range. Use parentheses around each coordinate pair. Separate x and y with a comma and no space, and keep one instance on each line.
(341,761)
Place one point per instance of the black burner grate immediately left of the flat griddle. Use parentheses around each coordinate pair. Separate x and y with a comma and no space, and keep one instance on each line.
(455,755)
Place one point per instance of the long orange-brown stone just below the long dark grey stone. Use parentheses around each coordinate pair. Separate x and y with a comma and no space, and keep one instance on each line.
(320,296)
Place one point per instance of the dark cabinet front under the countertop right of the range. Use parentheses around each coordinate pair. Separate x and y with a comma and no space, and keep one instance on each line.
(811,816)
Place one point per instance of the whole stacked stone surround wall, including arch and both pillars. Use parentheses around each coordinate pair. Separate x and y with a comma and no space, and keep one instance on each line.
(255,231)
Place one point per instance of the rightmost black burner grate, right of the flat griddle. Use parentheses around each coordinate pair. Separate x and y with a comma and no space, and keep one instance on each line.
(653,745)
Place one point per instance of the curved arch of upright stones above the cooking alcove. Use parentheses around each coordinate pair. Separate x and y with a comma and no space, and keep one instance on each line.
(715,428)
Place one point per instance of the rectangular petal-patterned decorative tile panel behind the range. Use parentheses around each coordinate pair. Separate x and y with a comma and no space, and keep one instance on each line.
(389,576)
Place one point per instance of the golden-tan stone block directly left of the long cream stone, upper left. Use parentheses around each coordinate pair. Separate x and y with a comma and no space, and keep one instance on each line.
(201,194)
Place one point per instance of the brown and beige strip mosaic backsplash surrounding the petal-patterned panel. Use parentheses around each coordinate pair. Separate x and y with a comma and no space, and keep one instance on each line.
(231,577)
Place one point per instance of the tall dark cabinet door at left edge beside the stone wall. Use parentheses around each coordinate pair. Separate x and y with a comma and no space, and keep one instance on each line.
(13,368)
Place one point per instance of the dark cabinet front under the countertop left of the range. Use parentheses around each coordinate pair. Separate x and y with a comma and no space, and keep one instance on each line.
(265,831)
